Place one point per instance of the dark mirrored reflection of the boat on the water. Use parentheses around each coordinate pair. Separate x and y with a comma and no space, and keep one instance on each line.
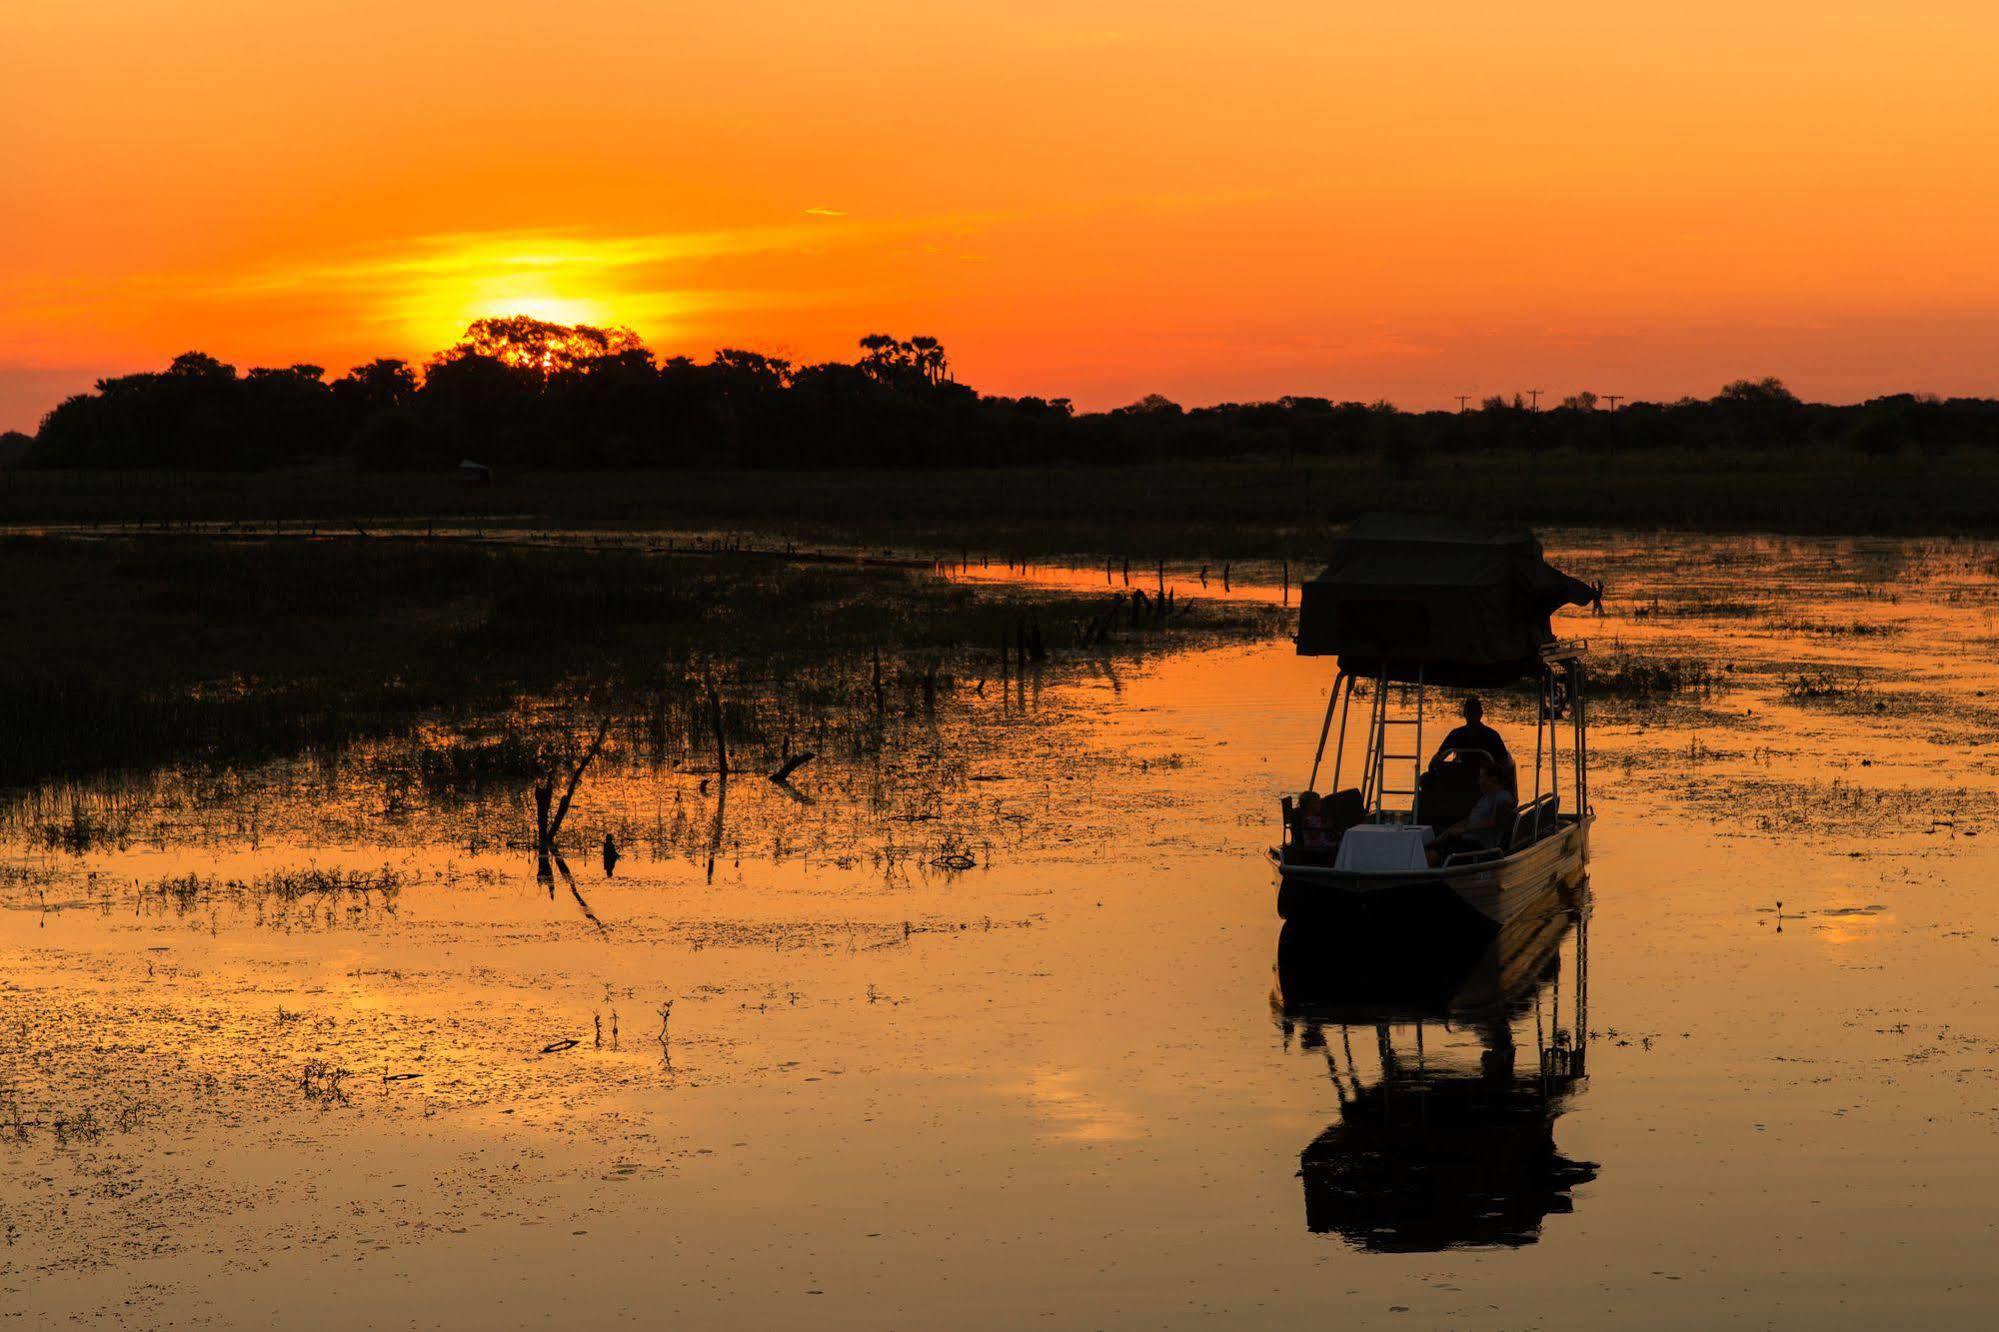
(1450,1075)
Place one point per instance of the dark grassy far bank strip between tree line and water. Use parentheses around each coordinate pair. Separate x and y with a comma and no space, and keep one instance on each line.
(1206,511)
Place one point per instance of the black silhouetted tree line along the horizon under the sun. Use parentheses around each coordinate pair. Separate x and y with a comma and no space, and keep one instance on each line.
(529,393)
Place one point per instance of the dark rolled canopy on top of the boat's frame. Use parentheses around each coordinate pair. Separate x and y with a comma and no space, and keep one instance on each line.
(1450,603)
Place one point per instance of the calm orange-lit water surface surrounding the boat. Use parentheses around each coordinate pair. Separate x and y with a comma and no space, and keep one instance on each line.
(1064,1085)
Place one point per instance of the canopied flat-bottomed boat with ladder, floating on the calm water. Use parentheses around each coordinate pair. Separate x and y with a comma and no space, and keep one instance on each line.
(1414,607)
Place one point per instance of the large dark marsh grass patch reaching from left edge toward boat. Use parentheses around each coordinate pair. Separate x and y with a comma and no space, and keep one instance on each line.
(157,651)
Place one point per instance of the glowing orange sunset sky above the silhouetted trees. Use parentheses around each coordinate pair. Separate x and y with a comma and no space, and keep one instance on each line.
(1098,201)
